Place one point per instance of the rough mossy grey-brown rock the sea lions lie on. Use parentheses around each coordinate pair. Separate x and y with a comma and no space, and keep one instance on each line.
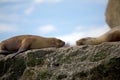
(88,62)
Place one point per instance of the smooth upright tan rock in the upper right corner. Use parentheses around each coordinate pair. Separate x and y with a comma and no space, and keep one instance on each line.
(113,13)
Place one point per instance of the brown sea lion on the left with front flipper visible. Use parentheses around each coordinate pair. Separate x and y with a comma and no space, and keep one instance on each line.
(22,43)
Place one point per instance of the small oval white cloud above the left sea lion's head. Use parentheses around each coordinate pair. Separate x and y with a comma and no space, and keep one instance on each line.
(46,29)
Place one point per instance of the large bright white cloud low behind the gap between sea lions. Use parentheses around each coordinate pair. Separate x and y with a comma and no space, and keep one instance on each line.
(81,32)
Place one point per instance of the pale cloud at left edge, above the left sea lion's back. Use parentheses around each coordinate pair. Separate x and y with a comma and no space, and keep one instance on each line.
(7,28)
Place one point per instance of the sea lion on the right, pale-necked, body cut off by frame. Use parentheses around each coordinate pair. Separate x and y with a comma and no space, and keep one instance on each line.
(110,36)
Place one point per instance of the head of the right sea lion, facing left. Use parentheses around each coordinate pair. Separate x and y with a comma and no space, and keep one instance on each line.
(85,41)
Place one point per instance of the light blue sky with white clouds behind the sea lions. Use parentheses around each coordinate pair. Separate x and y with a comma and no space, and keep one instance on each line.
(68,20)
